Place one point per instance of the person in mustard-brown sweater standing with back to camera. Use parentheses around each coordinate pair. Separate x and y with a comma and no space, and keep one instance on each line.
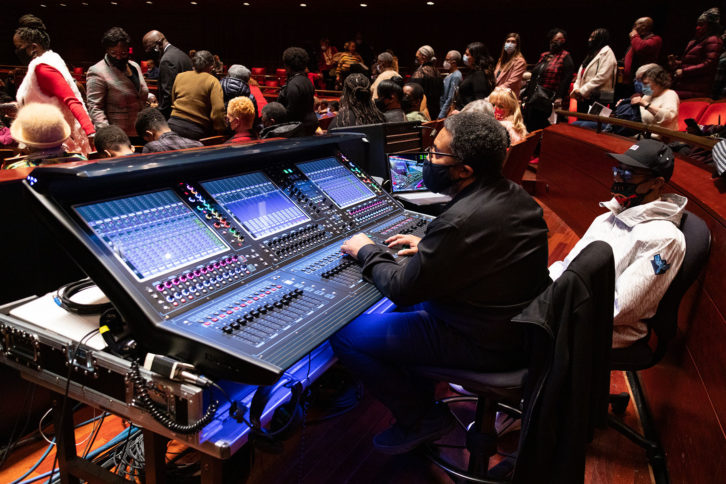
(197,109)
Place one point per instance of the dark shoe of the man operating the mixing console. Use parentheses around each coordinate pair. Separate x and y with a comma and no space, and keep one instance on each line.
(399,440)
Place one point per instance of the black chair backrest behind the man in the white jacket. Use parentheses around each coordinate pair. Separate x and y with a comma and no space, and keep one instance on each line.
(665,321)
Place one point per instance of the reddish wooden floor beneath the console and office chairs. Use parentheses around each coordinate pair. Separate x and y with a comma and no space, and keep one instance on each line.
(339,450)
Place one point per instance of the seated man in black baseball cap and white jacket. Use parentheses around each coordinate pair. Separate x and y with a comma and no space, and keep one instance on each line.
(641,226)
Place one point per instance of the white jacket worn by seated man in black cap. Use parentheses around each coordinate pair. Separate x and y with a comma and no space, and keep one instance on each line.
(641,237)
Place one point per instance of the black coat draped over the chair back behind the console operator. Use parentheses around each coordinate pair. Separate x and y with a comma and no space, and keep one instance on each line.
(571,326)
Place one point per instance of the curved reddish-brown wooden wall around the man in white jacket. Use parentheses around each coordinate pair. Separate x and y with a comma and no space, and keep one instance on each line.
(686,392)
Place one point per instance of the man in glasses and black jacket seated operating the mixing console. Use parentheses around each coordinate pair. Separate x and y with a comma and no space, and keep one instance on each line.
(480,262)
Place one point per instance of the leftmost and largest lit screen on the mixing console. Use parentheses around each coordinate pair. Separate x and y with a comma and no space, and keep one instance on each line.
(152,233)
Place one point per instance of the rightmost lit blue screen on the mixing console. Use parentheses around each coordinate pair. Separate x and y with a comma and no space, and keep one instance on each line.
(336,181)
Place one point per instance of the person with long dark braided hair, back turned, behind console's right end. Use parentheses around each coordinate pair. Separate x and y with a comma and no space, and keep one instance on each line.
(356,104)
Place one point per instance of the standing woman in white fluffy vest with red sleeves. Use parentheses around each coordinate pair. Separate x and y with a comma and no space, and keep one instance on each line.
(48,81)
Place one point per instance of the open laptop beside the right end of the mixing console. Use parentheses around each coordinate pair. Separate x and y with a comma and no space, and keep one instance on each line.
(406,175)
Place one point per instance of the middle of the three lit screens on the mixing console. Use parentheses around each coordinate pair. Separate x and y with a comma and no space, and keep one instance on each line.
(256,203)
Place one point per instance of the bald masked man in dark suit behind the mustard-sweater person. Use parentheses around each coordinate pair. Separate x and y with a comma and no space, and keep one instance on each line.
(172,61)
